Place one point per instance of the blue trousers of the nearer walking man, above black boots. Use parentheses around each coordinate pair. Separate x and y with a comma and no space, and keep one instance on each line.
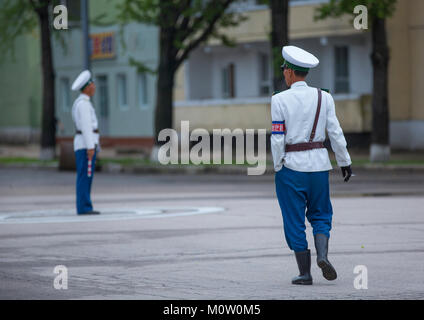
(303,194)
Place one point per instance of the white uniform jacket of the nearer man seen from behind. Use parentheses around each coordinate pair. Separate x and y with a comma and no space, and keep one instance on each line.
(293,113)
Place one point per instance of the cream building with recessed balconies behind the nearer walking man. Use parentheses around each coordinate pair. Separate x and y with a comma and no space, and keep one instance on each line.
(233,89)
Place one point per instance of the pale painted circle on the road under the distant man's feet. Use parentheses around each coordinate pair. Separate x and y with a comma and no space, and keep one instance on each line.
(60,216)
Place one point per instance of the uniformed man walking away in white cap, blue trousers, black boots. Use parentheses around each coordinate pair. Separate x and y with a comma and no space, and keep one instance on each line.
(300,117)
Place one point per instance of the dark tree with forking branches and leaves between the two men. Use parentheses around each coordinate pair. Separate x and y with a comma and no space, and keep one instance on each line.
(183,26)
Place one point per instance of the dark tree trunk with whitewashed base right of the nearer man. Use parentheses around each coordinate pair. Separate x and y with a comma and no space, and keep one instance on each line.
(380,148)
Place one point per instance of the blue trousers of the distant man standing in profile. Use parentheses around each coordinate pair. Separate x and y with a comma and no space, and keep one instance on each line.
(84,182)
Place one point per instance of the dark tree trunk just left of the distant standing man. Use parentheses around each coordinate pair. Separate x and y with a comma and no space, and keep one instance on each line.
(48,124)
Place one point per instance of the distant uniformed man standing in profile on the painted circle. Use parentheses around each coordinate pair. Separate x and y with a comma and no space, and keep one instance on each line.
(86,141)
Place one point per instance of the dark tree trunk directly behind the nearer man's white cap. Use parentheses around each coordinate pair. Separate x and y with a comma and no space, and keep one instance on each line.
(279,38)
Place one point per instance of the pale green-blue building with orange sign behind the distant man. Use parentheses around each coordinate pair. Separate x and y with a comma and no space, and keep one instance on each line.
(125,98)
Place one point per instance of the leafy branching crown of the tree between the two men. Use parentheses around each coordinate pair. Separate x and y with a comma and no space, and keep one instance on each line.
(191,22)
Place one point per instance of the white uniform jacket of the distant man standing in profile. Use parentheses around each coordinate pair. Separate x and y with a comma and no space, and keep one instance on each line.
(85,120)
